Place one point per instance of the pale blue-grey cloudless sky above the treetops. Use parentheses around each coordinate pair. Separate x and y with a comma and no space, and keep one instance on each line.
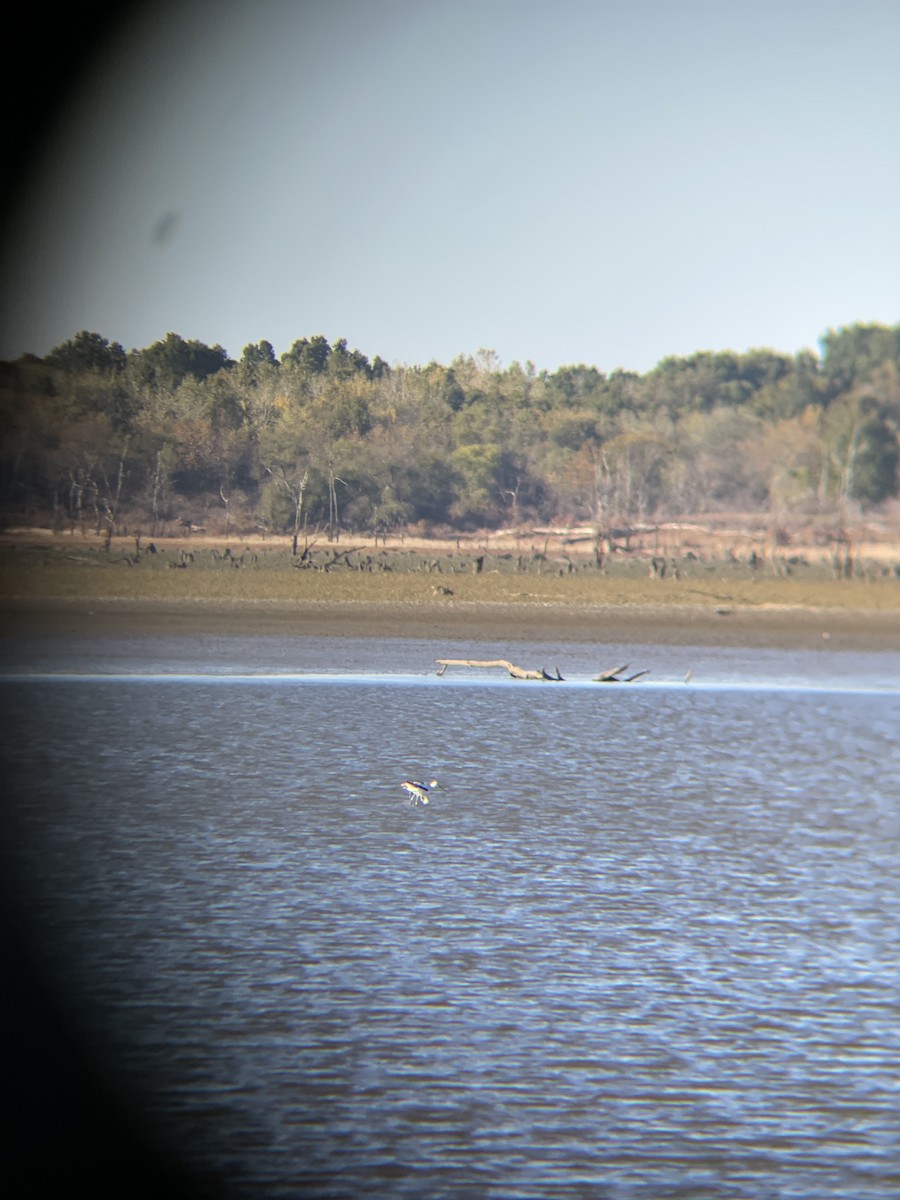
(573,182)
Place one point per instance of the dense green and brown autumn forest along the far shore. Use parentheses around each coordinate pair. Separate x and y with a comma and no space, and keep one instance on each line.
(95,437)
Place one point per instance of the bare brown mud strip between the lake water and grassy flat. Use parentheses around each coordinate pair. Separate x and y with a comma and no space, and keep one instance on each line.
(478,622)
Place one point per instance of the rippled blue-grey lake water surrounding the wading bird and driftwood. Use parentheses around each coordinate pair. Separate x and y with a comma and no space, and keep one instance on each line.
(644,944)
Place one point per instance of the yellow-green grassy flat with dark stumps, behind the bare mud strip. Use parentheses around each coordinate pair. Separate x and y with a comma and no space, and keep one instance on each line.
(79,572)
